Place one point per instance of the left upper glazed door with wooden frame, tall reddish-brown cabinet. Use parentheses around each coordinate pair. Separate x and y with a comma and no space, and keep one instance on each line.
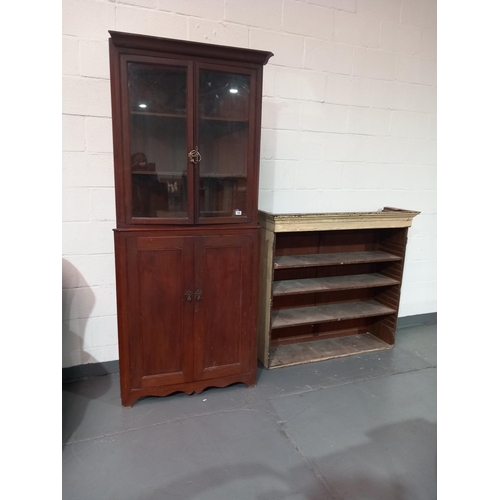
(157,135)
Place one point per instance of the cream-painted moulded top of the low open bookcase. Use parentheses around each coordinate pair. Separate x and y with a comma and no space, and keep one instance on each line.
(388,217)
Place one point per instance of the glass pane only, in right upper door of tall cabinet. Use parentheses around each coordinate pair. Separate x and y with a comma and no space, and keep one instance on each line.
(223,144)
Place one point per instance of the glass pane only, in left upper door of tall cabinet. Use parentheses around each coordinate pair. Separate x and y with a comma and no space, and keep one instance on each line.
(157,100)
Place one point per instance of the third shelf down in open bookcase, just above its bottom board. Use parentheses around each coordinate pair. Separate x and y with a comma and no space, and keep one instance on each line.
(325,313)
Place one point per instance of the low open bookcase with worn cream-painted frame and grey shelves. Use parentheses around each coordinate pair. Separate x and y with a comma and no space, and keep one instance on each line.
(330,284)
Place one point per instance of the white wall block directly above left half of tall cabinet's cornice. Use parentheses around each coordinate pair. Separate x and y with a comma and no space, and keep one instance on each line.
(149,22)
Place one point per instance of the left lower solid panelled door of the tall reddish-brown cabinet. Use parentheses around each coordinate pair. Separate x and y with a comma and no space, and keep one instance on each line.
(160,310)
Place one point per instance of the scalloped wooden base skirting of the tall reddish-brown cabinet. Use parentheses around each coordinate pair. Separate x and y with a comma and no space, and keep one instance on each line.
(129,398)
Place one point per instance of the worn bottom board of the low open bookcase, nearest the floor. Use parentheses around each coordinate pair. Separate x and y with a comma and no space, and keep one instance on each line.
(320,350)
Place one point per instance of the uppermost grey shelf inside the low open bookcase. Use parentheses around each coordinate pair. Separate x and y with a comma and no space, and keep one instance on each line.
(329,259)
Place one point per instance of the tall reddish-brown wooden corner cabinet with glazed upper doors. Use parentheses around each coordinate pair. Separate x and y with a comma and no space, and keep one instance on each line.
(186,138)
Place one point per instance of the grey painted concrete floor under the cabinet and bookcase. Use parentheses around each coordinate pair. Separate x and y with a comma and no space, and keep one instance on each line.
(356,428)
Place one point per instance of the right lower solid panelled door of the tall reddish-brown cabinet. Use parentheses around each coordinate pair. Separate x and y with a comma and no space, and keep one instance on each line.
(224,306)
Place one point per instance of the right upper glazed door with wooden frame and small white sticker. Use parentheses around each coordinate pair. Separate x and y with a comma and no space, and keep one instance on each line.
(225,135)
